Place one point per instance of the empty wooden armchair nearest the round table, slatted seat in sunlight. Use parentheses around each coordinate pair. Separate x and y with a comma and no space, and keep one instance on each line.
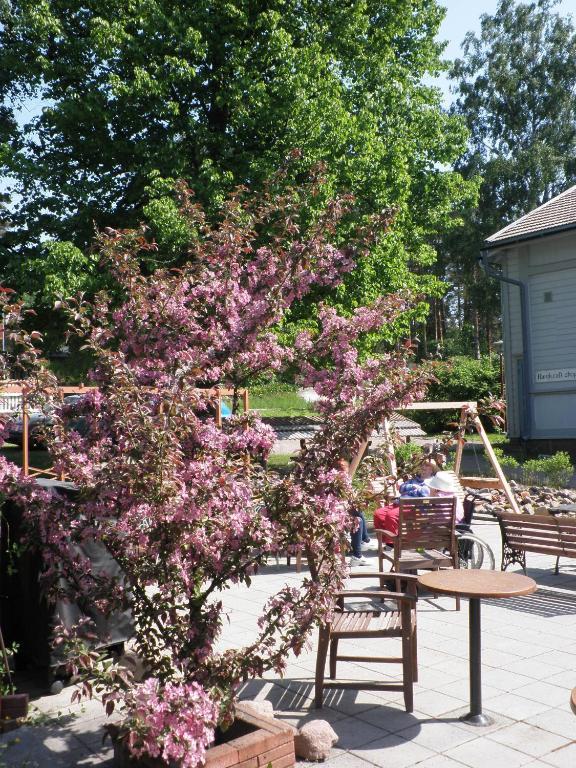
(386,615)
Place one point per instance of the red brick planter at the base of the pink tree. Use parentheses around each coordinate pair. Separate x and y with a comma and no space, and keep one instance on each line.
(262,742)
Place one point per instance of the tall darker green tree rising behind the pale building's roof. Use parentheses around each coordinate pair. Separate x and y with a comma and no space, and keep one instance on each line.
(516,90)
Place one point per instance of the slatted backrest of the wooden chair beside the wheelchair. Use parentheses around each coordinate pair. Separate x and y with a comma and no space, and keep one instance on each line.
(427,522)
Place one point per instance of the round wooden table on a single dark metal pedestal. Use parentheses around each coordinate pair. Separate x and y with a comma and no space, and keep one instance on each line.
(476,584)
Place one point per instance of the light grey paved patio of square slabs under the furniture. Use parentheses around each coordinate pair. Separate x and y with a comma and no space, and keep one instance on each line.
(529,668)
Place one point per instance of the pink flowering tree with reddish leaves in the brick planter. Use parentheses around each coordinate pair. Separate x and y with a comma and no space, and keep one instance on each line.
(182,505)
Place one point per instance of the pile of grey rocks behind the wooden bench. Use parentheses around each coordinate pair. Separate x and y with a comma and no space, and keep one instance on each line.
(532,500)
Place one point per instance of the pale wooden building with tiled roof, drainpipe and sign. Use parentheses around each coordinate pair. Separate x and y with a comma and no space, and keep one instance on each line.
(535,260)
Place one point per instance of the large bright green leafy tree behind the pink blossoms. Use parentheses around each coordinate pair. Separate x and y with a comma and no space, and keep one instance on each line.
(137,94)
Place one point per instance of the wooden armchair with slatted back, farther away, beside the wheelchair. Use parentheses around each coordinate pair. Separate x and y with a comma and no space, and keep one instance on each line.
(426,539)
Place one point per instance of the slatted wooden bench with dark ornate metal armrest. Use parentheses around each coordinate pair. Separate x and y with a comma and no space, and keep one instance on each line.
(544,534)
